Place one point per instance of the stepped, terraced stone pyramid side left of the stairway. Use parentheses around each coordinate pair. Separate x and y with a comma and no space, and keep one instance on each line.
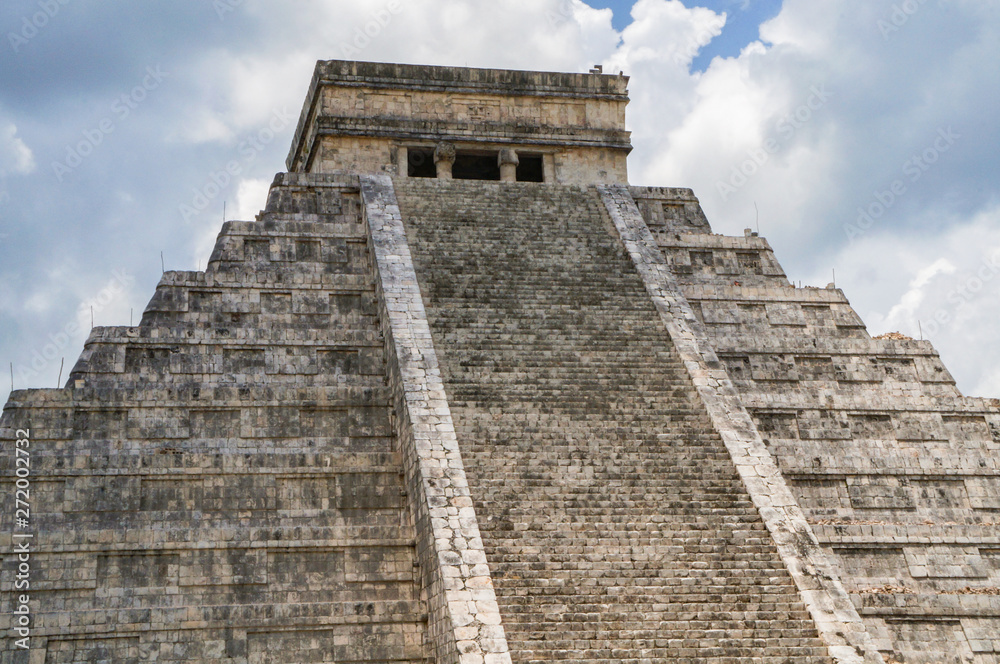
(222,482)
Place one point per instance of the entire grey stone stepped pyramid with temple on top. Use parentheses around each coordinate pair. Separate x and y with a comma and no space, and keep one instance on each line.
(462,395)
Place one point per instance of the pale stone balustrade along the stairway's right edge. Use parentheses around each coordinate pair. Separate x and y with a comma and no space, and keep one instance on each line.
(840,626)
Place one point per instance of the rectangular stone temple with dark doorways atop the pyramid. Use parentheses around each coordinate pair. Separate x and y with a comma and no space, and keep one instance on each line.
(484,124)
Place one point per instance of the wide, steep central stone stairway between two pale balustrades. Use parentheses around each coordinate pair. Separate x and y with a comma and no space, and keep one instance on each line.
(614,521)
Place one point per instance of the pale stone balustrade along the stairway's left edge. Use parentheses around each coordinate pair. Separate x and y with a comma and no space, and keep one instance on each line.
(464,620)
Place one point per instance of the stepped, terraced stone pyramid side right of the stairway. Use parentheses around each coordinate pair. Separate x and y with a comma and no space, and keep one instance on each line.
(896,472)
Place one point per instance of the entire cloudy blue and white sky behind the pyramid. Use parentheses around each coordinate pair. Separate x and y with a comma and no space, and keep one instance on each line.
(864,131)
